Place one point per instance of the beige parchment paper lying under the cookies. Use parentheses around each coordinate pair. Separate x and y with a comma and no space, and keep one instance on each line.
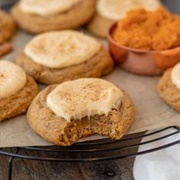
(151,111)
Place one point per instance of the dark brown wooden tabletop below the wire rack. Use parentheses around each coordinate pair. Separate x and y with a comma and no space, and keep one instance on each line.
(35,170)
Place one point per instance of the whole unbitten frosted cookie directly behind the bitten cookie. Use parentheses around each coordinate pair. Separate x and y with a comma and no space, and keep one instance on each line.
(59,56)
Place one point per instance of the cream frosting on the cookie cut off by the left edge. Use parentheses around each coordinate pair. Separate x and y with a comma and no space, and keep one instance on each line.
(12,78)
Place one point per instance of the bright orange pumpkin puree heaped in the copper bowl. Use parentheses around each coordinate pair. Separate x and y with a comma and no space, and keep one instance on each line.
(148,30)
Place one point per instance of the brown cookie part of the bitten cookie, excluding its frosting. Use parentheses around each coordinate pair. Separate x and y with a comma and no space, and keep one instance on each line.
(61,132)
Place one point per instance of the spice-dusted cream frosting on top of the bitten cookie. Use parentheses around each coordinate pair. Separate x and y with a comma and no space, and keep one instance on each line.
(84,97)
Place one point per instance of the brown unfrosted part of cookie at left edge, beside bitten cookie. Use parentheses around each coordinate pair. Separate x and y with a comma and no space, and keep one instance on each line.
(19,102)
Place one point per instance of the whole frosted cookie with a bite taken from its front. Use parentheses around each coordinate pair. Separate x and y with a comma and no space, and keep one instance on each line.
(64,113)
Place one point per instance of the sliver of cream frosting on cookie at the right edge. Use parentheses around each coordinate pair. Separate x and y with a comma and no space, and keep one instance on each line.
(175,75)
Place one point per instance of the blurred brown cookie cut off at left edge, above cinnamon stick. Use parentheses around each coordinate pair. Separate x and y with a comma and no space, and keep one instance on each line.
(7,27)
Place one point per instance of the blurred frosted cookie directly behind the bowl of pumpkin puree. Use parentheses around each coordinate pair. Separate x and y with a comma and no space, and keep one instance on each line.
(109,11)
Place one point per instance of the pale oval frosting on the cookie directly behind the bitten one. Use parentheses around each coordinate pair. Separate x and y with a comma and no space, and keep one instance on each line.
(59,49)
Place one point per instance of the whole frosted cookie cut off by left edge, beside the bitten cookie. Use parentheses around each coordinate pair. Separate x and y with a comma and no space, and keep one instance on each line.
(16,90)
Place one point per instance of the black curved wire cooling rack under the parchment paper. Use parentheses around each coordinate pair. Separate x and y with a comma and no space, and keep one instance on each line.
(97,150)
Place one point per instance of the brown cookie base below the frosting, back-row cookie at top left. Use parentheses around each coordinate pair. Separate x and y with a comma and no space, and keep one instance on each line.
(76,16)
